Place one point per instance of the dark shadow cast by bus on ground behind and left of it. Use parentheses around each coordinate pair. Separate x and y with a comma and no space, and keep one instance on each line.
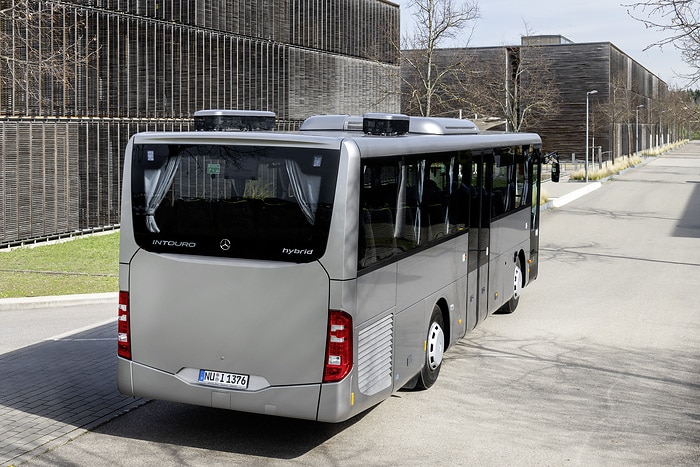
(70,383)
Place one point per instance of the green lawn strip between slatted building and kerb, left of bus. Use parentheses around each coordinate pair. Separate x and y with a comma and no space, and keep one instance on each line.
(84,265)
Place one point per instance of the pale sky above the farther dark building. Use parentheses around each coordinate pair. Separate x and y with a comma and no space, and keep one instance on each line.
(503,22)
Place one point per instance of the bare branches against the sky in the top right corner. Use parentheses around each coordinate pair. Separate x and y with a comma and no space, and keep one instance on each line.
(681,20)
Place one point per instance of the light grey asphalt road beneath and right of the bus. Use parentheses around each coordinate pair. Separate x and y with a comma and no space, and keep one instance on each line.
(600,364)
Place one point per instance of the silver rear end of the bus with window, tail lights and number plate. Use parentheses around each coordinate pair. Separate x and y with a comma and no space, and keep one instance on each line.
(226,260)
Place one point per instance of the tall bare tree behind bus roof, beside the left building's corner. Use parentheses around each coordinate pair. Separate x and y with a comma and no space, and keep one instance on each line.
(423,76)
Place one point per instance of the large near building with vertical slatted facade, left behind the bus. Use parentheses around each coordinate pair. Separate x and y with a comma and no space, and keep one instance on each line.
(111,68)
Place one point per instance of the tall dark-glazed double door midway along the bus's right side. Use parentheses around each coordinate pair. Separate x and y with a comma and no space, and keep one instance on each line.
(479,235)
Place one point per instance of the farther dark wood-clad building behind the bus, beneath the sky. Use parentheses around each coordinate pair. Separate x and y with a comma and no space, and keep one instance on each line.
(557,76)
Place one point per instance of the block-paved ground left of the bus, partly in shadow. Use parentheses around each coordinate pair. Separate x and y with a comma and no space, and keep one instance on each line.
(53,391)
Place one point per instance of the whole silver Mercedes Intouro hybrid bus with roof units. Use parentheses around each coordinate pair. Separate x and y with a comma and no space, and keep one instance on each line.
(311,274)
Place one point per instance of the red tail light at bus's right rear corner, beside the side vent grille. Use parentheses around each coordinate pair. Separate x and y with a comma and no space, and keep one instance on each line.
(338,347)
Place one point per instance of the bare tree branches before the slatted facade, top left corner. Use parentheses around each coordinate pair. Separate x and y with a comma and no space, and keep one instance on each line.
(41,46)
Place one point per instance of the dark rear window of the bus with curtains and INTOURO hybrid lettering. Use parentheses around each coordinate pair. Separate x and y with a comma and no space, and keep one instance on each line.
(238,201)
